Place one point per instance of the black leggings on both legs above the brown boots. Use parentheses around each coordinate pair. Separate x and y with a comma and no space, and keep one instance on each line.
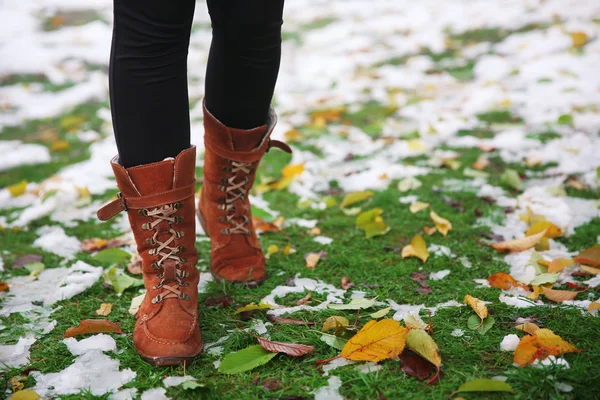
(148,71)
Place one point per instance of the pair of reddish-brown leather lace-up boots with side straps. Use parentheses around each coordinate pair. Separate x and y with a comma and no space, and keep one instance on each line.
(159,201)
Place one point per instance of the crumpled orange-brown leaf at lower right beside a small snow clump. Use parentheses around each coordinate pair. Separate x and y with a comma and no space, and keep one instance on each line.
(540,345)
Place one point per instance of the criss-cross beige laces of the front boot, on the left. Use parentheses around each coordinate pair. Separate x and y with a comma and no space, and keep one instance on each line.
(166,250)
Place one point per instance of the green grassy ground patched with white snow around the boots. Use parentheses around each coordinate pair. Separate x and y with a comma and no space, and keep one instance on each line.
(370,93)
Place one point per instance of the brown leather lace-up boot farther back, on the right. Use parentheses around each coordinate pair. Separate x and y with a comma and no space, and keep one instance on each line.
(230,162)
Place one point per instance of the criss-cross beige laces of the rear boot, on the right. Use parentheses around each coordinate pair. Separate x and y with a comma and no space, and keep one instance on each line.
(235,191)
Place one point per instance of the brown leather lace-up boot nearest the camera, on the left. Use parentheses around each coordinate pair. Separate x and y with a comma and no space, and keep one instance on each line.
(159,200)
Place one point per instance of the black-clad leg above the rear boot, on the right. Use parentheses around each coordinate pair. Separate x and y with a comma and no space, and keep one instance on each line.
(244,60)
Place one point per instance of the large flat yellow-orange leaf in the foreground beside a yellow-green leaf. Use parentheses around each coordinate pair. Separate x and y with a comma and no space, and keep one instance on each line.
(376,341)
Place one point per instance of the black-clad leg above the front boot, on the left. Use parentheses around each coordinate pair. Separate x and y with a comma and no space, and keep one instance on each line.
(148,79)
